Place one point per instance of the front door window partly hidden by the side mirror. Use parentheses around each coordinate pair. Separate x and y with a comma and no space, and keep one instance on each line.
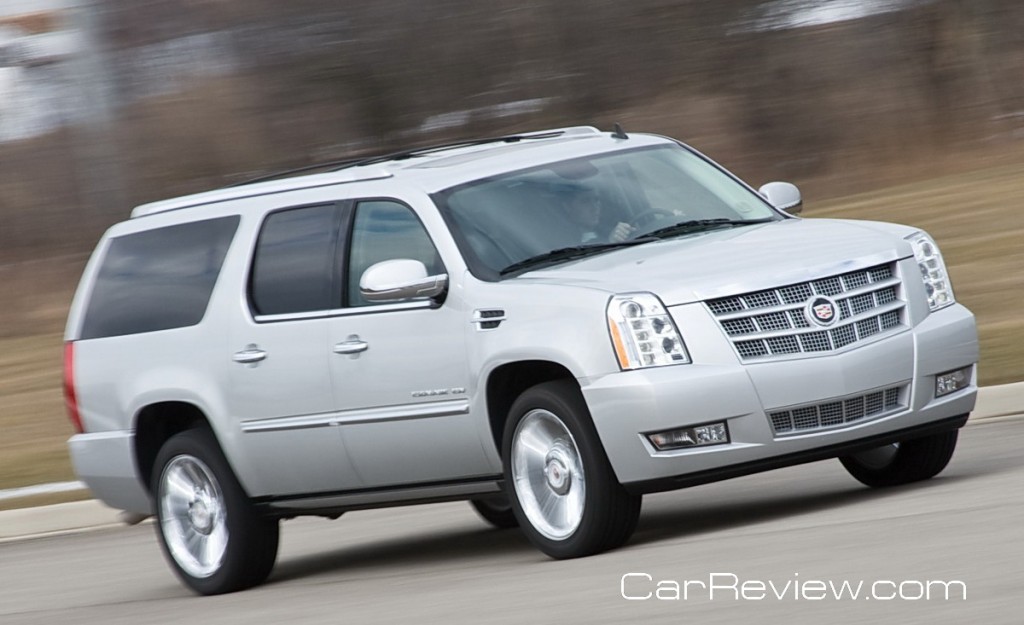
(385,231)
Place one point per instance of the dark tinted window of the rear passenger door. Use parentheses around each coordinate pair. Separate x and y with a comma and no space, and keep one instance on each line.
(294,270)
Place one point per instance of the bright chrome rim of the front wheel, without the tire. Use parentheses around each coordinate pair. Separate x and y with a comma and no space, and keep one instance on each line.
(549,477)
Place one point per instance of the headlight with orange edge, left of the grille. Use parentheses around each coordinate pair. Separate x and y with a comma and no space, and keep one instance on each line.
(643,332)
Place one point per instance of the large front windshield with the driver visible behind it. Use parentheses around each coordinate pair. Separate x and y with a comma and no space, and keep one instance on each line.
(566,211)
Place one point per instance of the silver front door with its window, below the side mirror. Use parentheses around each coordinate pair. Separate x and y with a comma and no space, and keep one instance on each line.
(400,370)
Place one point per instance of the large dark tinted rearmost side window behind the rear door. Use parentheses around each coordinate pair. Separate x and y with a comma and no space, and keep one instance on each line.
(158,280)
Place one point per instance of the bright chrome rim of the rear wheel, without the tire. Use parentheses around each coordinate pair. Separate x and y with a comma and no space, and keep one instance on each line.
(193,517)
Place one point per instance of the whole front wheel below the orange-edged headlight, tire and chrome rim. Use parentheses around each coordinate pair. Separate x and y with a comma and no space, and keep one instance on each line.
(562,485)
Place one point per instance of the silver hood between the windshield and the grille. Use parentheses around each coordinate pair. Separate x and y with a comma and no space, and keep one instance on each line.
(729,262)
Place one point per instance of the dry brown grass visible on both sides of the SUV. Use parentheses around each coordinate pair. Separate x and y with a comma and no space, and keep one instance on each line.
(976,218)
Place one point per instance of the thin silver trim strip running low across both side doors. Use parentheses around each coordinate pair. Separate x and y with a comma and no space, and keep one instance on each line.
(356,418)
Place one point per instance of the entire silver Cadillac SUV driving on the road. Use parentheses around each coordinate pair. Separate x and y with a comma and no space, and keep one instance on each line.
(548,325)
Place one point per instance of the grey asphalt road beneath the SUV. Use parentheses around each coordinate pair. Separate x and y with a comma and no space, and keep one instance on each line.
(790,532)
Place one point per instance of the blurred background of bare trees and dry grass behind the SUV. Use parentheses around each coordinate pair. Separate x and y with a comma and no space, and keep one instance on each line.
(909,111)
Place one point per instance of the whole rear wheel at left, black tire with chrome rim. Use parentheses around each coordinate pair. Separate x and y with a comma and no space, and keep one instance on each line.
(211,535)
